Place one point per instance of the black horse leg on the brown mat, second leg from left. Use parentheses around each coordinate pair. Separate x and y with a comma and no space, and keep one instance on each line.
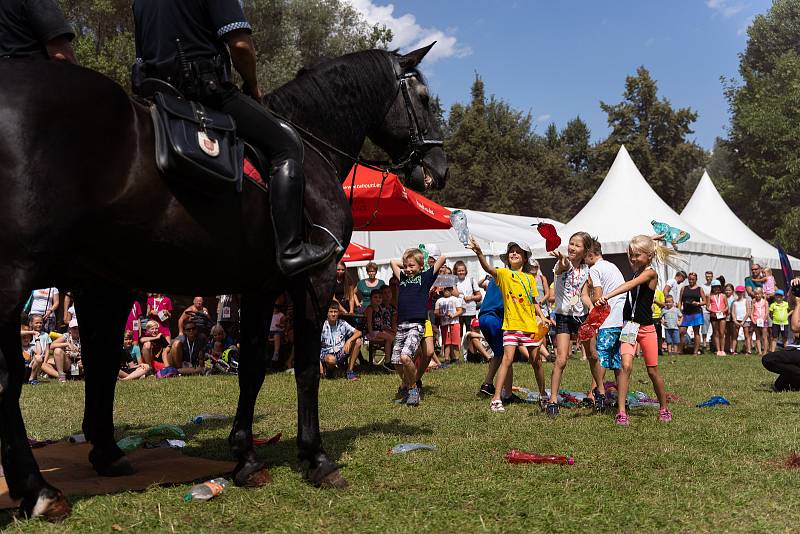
(102,312)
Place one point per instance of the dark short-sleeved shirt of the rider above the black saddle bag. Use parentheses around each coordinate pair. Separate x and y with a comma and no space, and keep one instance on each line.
(201,26)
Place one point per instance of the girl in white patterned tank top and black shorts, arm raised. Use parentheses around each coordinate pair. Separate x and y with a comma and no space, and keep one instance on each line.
(572,305)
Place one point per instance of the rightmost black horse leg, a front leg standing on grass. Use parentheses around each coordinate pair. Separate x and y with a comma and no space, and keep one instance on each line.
(307,330)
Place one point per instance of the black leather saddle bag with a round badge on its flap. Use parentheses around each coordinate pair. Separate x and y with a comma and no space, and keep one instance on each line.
(197,145)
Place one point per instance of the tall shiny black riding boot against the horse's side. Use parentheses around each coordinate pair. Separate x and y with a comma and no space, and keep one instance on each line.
(286,207)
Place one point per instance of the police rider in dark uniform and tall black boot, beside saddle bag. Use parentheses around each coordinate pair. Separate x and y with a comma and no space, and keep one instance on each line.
(191,44)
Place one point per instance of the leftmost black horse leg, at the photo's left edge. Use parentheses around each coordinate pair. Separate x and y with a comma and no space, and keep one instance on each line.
(21,471)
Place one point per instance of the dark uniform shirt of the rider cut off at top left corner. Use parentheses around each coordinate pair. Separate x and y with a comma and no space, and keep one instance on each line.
(26,26)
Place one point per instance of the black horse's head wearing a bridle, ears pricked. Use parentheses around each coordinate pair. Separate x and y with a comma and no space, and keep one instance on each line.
(410,133)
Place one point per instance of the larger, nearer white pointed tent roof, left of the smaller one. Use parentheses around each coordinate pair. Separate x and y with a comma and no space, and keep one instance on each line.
(624,206)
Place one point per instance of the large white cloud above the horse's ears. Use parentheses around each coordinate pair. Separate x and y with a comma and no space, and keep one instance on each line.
(409,35)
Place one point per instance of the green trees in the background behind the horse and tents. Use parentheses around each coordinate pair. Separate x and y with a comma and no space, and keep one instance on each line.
(500,162)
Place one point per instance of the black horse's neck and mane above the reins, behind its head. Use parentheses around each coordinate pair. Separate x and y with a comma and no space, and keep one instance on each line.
(338,98)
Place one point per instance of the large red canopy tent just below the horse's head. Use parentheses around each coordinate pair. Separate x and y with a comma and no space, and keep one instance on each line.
(397,207)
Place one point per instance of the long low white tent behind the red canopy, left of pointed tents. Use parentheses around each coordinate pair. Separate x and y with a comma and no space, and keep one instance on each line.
(492,230)
